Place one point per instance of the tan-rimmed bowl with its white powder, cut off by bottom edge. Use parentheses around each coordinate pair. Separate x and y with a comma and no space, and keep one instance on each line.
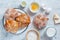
(31,35)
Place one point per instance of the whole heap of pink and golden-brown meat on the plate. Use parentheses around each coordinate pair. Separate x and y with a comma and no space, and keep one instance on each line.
(12,25)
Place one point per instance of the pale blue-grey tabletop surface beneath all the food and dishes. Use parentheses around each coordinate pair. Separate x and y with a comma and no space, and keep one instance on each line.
(4,4)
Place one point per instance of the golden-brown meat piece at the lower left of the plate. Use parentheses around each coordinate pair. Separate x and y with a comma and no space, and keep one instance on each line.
(11,26)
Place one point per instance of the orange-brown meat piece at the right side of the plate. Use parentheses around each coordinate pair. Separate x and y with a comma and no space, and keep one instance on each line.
(24,18)
